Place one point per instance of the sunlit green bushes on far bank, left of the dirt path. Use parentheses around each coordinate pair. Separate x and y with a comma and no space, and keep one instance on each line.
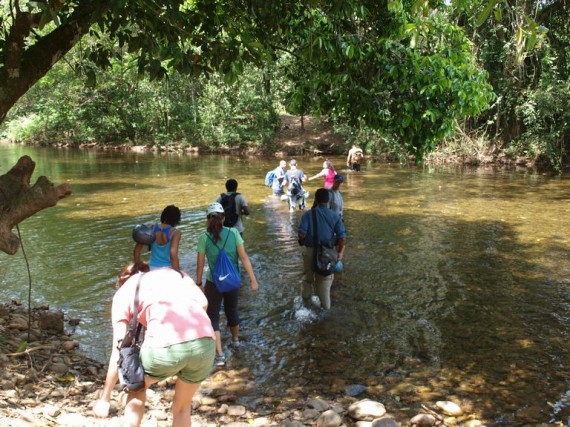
(117,107)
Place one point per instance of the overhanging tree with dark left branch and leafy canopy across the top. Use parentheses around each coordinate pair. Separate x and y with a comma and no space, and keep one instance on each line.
(396,65)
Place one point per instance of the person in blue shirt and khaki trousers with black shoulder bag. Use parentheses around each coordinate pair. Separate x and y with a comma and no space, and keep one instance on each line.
(329,228)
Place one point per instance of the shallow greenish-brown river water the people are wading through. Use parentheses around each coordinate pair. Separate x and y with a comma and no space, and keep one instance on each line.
(456,281)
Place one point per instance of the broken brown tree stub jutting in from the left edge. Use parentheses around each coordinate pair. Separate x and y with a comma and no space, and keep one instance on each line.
(19,201)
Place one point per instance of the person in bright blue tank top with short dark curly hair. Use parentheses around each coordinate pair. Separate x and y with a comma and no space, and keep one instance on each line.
(164,249)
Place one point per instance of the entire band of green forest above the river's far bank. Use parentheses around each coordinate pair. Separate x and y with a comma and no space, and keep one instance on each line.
(472,79)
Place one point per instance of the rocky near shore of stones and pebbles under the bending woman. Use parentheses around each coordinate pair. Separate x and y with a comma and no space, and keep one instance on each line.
(48,382)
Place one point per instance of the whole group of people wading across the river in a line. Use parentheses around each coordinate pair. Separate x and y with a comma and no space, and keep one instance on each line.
(181,317)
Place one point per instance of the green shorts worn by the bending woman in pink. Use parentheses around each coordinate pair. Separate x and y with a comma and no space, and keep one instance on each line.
(191,361)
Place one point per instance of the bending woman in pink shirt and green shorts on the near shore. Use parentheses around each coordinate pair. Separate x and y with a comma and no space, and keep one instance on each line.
(179,339)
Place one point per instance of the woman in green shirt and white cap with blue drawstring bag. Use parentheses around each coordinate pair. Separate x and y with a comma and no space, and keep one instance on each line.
(209,245)
